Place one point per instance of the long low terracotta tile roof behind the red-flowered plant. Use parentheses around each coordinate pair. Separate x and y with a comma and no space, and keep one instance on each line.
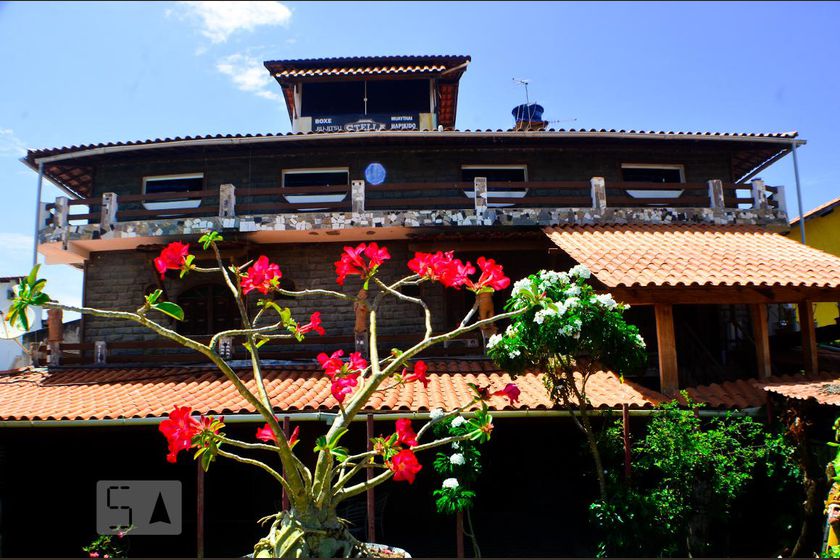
(105,393)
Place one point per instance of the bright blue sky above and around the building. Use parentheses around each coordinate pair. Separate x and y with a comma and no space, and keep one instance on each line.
(92,72)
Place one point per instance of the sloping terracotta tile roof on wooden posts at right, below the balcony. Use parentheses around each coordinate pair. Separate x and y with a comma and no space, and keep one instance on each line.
(695,255)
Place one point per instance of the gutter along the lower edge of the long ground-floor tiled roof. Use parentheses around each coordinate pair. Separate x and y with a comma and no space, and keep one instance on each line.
(329,417)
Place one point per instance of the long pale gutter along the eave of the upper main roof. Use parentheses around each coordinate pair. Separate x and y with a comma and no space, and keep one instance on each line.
(105,150)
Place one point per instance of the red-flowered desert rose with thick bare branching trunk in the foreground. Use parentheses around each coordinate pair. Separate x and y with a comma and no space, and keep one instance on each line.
(311,526)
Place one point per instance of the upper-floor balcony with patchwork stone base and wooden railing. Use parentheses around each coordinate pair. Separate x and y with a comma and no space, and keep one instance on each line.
(70,229)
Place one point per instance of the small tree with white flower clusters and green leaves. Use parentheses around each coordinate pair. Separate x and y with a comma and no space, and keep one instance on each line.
(567,331)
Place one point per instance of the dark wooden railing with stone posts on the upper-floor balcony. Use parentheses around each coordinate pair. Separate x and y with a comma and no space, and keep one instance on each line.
(480,195)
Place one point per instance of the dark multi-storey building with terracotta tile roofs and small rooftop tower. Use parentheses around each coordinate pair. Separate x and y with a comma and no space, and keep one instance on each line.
(674,223)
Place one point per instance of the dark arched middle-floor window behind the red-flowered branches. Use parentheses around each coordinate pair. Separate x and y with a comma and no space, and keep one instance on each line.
(208,309)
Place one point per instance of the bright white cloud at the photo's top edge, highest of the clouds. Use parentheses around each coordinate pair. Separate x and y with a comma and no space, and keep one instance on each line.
(219,20)
